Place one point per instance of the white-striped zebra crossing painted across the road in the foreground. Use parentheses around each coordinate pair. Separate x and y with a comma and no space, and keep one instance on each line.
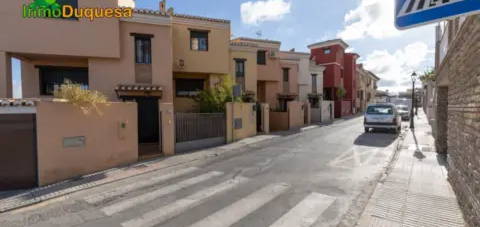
(305,213)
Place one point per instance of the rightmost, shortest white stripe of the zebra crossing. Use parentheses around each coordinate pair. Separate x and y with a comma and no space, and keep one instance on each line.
(307,212)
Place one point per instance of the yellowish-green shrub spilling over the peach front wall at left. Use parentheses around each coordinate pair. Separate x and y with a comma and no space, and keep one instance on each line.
(86,100)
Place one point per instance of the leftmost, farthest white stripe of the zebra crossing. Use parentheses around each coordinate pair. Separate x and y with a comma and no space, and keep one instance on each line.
(138,185)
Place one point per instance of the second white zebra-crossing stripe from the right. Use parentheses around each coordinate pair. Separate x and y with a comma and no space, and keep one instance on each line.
(243,207)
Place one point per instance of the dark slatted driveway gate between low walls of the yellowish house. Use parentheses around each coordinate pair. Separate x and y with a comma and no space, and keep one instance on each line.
(199,130)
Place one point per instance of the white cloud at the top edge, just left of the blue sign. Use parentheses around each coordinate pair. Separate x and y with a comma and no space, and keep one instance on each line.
(372,18)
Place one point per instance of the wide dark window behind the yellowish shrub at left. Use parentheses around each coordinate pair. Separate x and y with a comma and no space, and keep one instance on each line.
(52,77)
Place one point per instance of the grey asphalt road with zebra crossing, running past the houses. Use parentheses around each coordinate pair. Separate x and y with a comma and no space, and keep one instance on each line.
(315,178)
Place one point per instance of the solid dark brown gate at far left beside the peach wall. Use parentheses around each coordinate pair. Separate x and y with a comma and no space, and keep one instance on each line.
(18,165)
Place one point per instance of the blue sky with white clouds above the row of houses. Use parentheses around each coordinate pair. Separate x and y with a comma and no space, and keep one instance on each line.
(366,25)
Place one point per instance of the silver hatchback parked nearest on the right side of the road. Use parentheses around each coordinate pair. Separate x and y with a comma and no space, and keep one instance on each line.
(382,116)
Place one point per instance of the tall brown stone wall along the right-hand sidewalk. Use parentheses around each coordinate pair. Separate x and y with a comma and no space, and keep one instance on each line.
(462,67)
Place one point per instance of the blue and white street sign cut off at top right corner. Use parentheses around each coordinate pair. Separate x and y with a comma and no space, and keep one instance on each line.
(412,13)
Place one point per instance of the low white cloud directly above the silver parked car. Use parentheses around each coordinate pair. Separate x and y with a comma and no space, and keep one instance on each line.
(395,68)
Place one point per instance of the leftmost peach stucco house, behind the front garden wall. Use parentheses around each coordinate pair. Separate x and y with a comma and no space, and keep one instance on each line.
(127,59)
